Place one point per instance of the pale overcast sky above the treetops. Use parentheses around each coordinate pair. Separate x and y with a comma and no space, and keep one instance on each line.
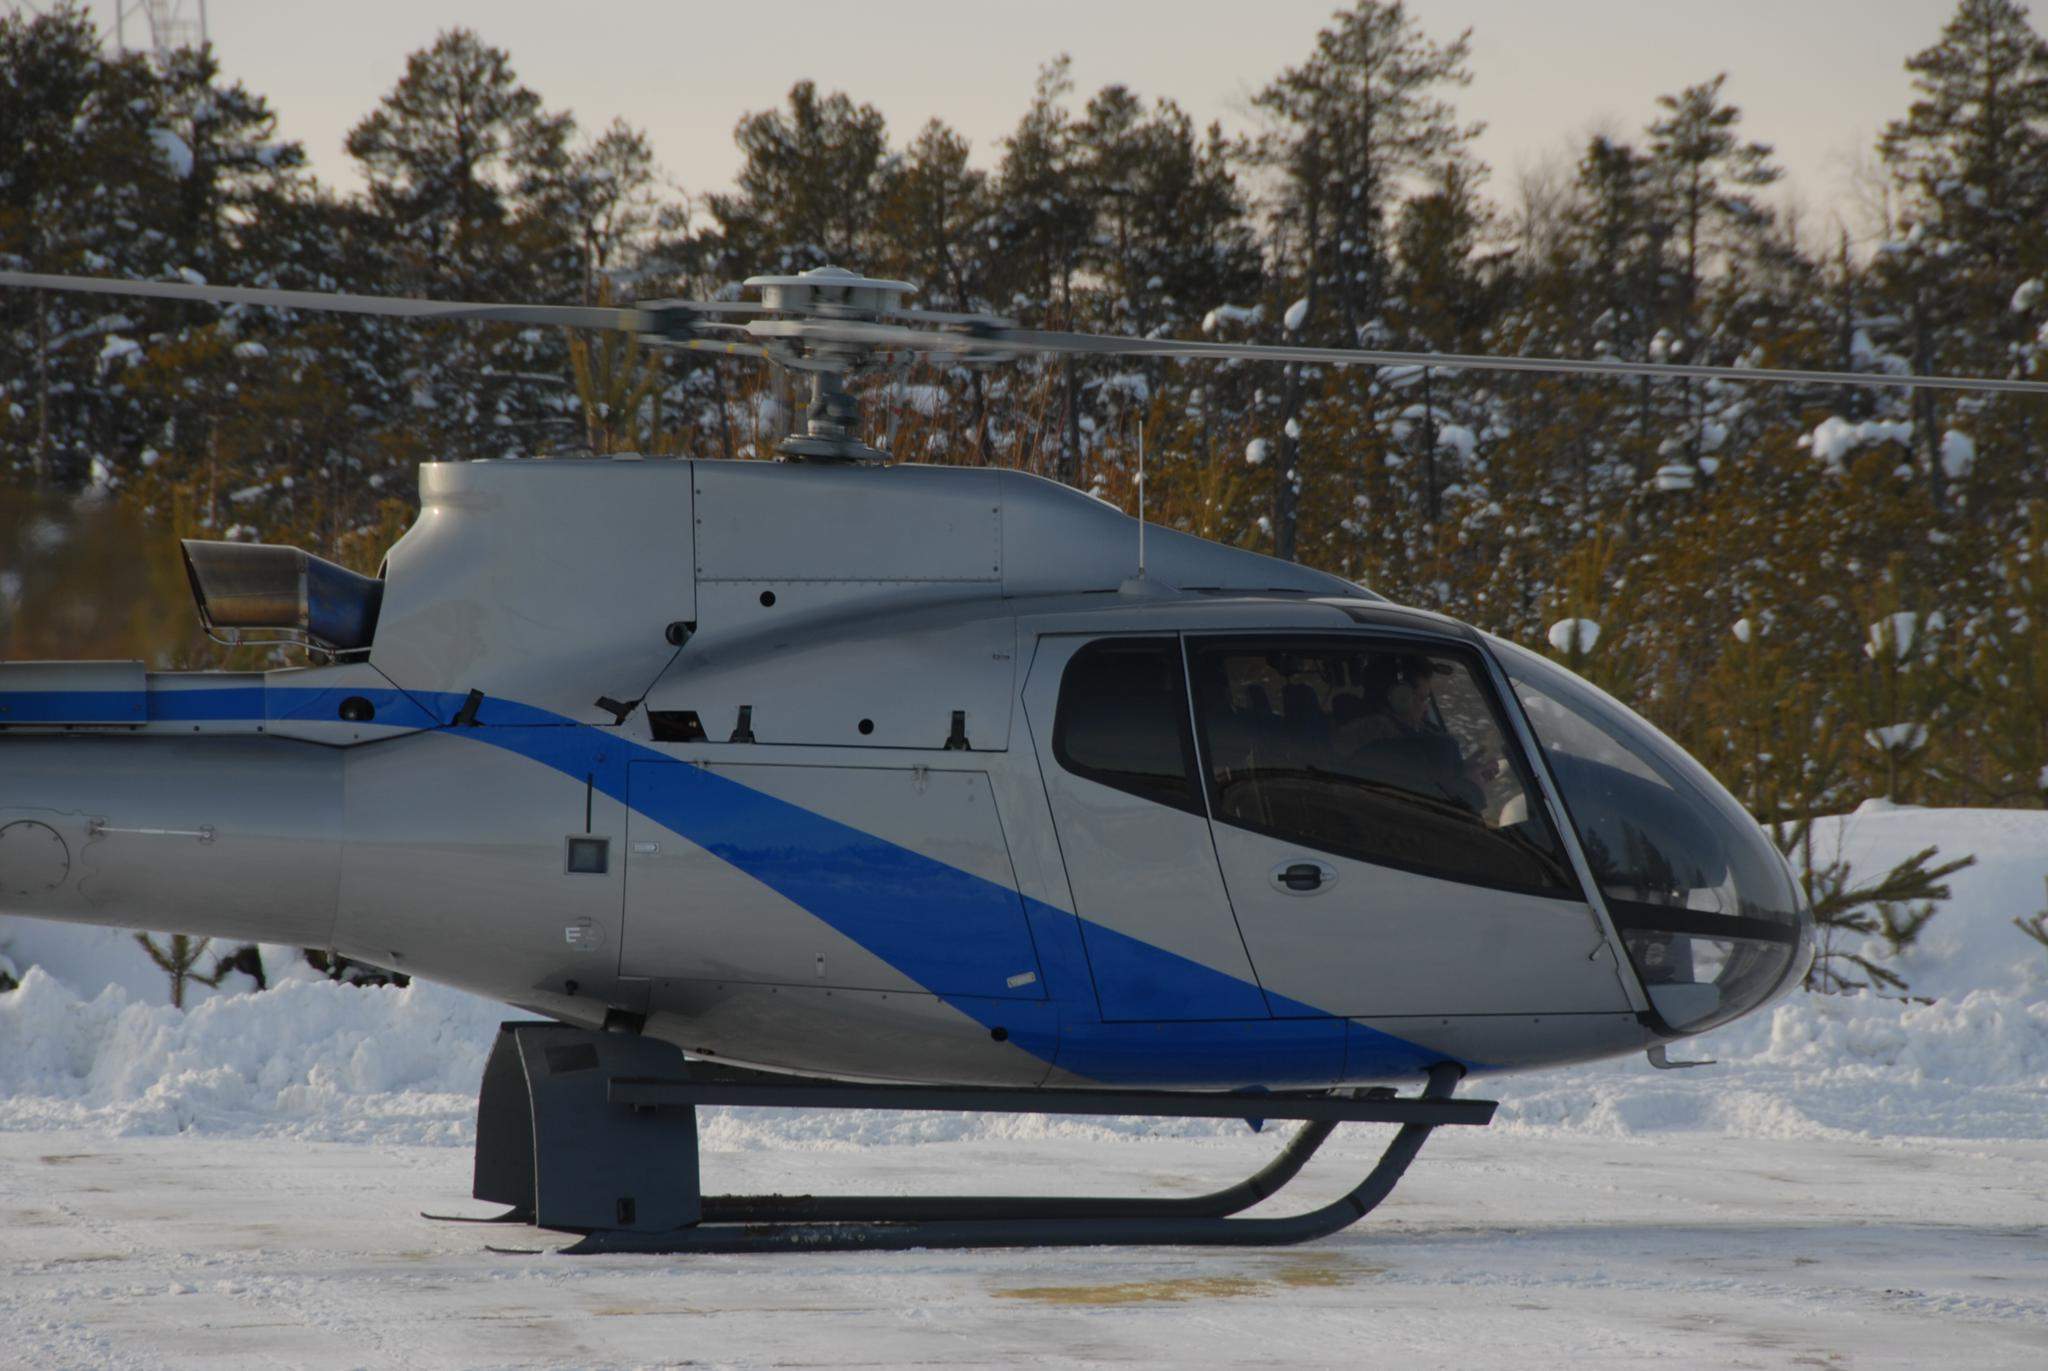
(1814,77)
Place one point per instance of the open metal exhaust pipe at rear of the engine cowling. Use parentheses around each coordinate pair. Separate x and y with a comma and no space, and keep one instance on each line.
(269,589)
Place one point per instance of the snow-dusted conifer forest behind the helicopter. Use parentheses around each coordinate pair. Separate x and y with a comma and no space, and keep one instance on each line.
(1828,593)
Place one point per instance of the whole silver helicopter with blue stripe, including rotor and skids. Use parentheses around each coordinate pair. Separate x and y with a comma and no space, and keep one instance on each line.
(835,780)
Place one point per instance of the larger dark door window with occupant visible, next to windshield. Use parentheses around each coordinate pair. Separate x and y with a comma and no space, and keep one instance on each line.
(1375,751)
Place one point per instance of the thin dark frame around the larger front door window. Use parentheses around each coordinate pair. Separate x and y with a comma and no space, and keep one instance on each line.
(1478,667)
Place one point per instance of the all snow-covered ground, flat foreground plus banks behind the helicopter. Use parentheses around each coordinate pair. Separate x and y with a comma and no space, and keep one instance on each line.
(1863,1181)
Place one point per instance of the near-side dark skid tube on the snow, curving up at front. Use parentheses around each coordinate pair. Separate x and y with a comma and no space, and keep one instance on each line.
(1052,1229)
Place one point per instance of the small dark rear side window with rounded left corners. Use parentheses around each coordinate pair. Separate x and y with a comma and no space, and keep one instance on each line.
(1123,720)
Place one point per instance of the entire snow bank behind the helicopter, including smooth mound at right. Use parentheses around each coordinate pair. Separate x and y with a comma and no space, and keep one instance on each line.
(1967,1058)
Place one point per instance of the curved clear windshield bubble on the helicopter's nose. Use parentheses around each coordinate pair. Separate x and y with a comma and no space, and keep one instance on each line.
(1707,907)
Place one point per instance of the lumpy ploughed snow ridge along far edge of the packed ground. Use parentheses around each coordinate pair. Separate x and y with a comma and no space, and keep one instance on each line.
(325,1063)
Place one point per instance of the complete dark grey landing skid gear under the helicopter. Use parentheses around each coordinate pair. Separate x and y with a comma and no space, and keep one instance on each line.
(597,1134)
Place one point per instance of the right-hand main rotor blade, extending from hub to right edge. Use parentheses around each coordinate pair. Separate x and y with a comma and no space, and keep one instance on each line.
(1039,341)
